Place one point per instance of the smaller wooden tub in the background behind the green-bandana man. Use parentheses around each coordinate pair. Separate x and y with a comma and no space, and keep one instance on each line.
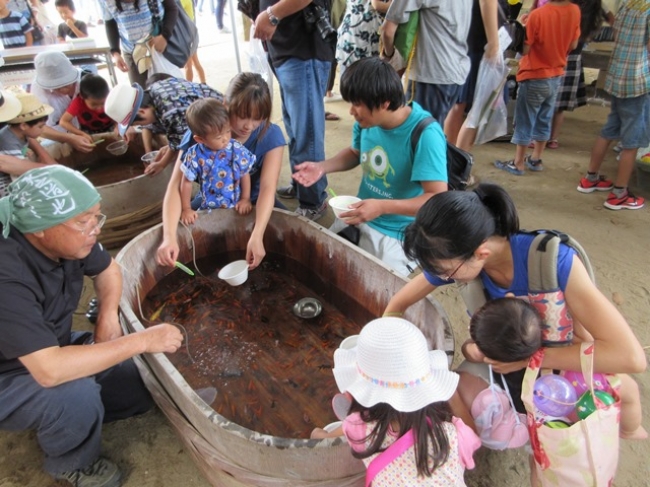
(133,203)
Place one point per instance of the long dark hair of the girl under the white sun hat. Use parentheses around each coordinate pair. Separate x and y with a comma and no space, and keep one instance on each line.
(426,423)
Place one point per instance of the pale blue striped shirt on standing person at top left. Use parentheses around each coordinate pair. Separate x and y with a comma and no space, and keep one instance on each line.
(132,24)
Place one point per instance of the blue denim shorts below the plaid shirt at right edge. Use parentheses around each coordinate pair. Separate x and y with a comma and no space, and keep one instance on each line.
(629,120)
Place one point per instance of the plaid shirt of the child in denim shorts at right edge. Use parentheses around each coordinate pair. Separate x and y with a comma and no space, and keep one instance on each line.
(628,74)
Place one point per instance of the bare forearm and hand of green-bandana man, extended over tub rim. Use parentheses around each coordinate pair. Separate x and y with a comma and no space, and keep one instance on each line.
(56,365)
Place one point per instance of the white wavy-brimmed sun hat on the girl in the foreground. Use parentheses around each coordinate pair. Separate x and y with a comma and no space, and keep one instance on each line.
(392,364)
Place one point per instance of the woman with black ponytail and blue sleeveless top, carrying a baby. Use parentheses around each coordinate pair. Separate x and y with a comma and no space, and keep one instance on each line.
(458,236)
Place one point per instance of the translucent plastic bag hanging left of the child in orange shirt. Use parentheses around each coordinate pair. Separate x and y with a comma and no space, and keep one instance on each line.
(489,114)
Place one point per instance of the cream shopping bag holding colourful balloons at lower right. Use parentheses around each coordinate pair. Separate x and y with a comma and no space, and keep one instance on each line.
(584,454)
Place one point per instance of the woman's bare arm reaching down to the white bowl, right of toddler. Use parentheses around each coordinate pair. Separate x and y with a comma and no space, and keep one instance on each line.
(255,251)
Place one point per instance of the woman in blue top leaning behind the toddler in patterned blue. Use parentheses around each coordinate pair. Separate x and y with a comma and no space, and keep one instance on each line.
(249,104)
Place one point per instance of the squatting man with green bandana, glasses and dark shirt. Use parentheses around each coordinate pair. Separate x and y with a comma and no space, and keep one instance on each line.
(61,383)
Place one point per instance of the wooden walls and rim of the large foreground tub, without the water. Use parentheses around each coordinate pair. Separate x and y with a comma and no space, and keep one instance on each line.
(227,453)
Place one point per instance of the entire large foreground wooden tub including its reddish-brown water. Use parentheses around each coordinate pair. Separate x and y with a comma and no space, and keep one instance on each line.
(254,378)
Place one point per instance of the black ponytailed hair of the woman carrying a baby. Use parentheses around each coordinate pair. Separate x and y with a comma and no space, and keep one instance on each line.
(453,224)
